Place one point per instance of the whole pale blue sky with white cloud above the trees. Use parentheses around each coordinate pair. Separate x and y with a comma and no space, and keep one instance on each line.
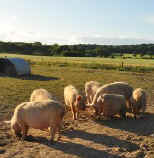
(106,22)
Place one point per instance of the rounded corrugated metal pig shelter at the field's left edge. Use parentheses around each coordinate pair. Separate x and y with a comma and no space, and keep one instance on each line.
(14,66)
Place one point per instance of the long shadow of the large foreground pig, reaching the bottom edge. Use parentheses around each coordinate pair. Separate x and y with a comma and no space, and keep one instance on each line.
(75,149)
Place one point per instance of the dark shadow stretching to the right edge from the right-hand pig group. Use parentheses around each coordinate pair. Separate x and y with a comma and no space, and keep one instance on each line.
(143,126)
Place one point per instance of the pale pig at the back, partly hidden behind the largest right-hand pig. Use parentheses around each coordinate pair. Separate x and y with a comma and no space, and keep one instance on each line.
(90,90)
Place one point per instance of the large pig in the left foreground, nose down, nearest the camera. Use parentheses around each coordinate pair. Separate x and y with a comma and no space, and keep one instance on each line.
(37,115)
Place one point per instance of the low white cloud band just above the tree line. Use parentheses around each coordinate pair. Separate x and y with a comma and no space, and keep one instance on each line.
(23,36)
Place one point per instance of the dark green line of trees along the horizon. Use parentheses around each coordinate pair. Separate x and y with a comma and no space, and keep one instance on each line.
(80,50)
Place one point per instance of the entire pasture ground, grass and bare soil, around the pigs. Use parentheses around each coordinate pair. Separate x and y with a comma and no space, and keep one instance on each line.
(89,138)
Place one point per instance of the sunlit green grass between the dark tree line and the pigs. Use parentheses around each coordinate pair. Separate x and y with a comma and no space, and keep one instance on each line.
(54,73)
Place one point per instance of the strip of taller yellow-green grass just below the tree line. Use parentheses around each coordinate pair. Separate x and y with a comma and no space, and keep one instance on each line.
(135,65)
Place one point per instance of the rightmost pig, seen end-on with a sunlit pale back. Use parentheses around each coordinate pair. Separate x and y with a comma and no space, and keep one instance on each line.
(138,101)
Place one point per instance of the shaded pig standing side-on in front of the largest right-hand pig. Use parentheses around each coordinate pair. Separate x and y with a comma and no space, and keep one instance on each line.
(111,104)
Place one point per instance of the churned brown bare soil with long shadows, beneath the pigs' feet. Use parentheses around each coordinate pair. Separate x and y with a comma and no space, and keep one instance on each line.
(86,138)
